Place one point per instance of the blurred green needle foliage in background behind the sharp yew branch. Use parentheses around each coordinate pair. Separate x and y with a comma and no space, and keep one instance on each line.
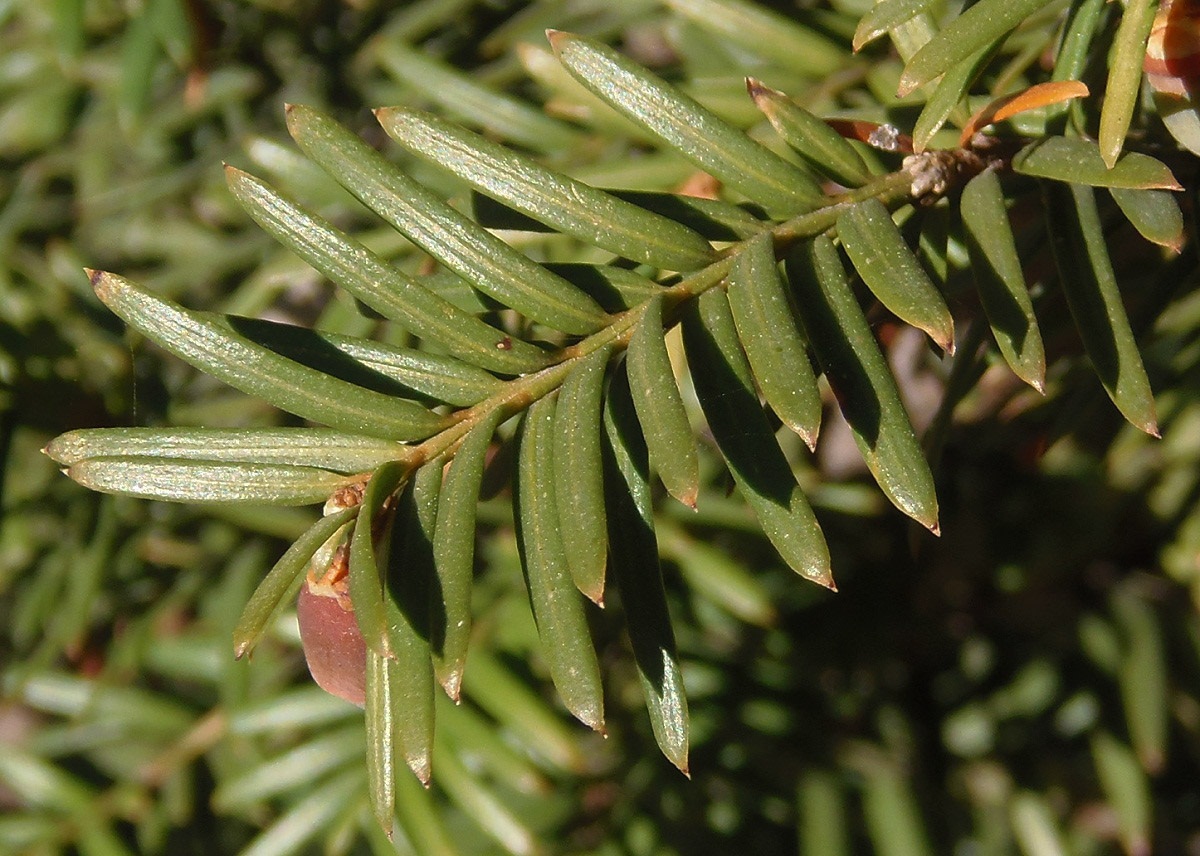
(1028,684)
